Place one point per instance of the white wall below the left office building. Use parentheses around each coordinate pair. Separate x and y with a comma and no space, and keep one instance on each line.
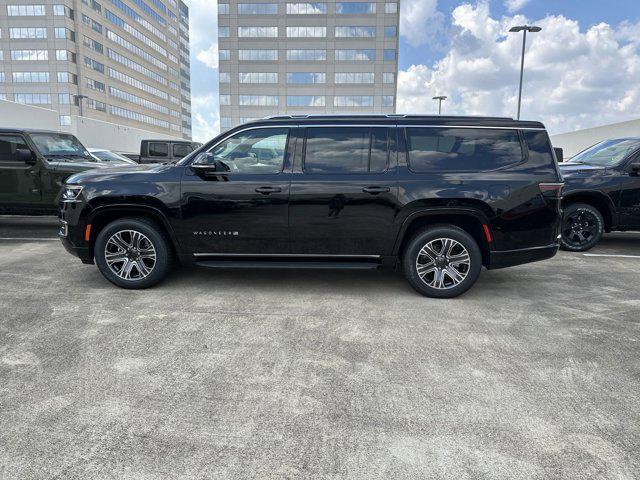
(92,133)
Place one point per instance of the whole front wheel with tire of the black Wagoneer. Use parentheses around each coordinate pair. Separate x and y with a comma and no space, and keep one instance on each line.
(140,236)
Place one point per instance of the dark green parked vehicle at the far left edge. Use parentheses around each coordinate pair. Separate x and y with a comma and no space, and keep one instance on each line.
(33,166)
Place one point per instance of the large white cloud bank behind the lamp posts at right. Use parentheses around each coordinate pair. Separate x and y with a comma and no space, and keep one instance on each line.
(573,79)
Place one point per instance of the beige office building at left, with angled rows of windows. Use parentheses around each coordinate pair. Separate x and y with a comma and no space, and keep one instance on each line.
(119,61)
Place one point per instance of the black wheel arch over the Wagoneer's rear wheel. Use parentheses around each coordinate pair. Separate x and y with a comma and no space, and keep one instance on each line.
(470,220)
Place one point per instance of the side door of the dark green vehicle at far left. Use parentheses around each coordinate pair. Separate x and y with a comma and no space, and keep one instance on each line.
(19,181)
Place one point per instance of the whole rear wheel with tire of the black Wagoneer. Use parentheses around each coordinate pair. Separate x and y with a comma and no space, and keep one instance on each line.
(416,262)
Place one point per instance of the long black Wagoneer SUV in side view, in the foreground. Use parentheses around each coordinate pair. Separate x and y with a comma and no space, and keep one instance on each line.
(440,196)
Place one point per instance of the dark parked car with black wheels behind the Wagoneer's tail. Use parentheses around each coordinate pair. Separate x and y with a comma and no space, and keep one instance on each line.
(602,192)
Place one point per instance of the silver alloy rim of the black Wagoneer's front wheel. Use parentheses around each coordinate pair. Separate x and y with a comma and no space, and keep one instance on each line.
(130,255)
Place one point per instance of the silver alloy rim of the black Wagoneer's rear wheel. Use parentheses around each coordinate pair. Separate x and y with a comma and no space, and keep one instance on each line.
(443,263)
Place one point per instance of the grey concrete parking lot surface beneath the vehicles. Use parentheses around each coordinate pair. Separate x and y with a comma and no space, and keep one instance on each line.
(534,373)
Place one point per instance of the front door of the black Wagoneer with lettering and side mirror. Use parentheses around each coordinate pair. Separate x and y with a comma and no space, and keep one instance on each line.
(235,196)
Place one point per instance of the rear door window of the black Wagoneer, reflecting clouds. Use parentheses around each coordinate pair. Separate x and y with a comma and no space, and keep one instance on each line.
(346,150)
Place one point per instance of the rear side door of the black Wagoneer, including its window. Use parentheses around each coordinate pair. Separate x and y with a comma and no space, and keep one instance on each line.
(344,191)
